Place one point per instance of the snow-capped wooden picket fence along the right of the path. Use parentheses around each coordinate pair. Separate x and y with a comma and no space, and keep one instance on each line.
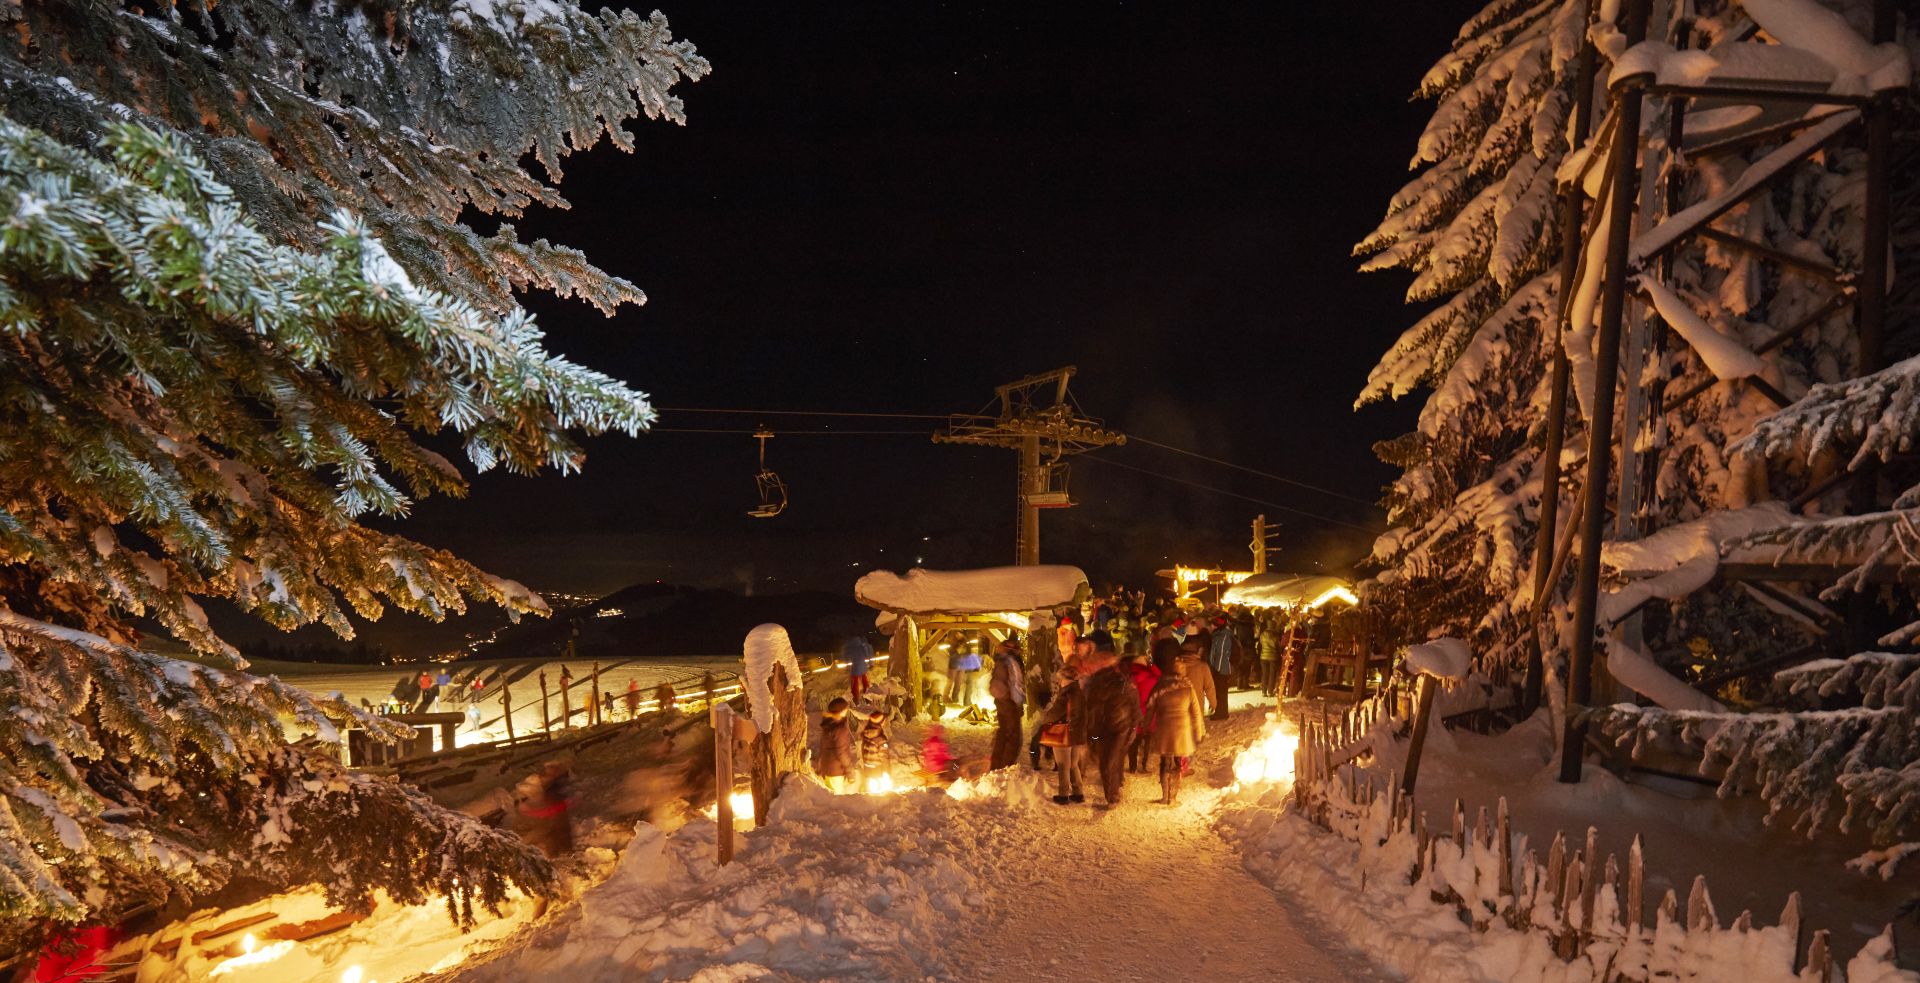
(1583,907)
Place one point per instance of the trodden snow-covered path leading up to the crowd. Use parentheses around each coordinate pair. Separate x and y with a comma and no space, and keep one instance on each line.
(1141,892)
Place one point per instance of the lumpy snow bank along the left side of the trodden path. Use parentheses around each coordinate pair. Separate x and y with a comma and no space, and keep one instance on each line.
(834,888)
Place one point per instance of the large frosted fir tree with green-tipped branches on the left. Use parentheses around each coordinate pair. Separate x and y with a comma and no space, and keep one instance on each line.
(235,295)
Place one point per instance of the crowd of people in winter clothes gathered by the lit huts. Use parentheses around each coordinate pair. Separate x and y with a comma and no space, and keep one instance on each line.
(1128,690)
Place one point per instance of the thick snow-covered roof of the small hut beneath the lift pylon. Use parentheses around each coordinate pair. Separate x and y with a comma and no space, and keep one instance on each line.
(971,592)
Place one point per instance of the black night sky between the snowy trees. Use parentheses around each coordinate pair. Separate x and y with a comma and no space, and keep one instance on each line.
(898,206)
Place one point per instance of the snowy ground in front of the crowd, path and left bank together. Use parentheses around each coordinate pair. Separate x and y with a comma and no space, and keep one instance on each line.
(986,882)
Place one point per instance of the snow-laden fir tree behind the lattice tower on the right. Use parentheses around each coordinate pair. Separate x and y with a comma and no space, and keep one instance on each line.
(1477,228)
